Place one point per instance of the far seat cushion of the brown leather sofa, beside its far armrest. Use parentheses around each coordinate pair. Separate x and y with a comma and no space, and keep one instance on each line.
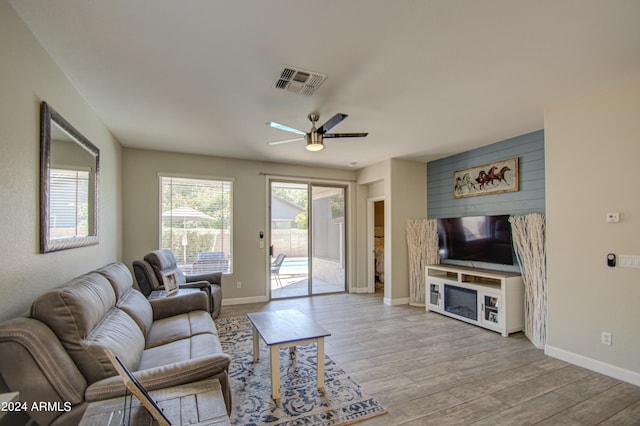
(180,327)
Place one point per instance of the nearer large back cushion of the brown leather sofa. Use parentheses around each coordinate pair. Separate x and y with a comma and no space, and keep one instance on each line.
(83,316)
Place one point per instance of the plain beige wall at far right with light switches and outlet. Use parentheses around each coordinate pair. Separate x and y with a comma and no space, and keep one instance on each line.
(592,148)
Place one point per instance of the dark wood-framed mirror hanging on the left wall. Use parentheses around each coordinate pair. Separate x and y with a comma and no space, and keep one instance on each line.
(69,169)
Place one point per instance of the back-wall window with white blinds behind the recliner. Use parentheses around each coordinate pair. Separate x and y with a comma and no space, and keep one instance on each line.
(196,223)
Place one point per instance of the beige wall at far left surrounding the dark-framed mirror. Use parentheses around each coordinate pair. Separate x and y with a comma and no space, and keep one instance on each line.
(28,76)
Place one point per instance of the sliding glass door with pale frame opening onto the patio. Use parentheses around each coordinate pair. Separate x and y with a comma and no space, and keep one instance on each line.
(308,239)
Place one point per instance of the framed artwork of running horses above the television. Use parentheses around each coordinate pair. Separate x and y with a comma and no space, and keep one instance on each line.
(493,178)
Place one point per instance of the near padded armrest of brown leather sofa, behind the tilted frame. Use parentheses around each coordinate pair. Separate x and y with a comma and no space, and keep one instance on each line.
(162,377)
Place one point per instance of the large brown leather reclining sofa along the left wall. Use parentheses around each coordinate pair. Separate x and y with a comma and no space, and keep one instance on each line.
(57,354)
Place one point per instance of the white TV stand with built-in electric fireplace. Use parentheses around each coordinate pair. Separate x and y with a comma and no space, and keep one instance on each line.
(489,299)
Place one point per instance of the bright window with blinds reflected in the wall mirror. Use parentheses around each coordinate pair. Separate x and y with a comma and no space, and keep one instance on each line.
(69,205)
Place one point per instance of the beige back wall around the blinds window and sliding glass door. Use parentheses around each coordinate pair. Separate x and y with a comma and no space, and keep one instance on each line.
(250,215)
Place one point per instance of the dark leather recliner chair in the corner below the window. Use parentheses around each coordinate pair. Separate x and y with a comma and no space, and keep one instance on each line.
(150,270)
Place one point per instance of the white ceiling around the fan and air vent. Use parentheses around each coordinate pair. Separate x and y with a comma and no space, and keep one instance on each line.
(425,78)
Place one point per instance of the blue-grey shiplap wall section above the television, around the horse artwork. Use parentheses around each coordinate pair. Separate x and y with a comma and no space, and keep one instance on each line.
(530,198)
